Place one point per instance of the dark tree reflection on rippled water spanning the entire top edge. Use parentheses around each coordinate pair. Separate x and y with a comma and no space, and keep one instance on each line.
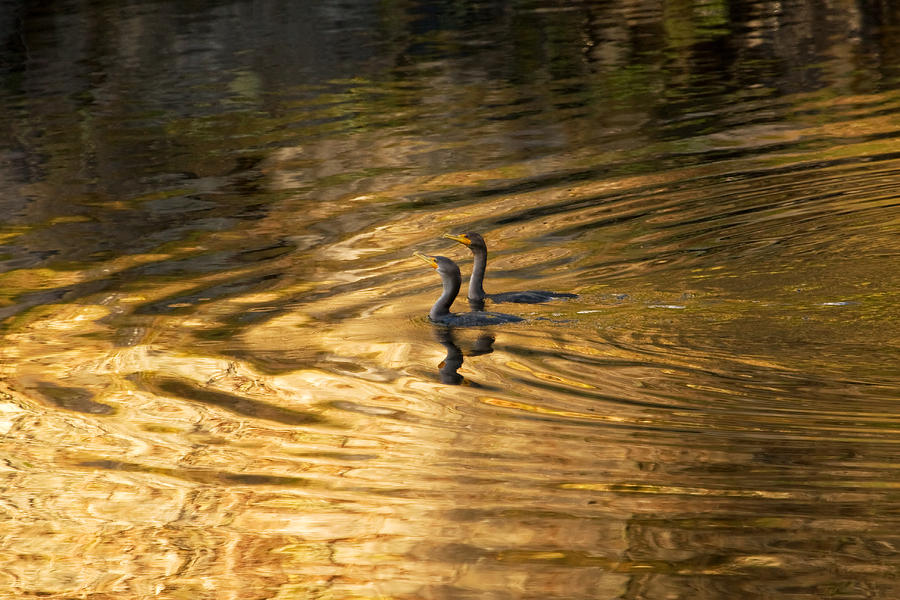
(108,99)
